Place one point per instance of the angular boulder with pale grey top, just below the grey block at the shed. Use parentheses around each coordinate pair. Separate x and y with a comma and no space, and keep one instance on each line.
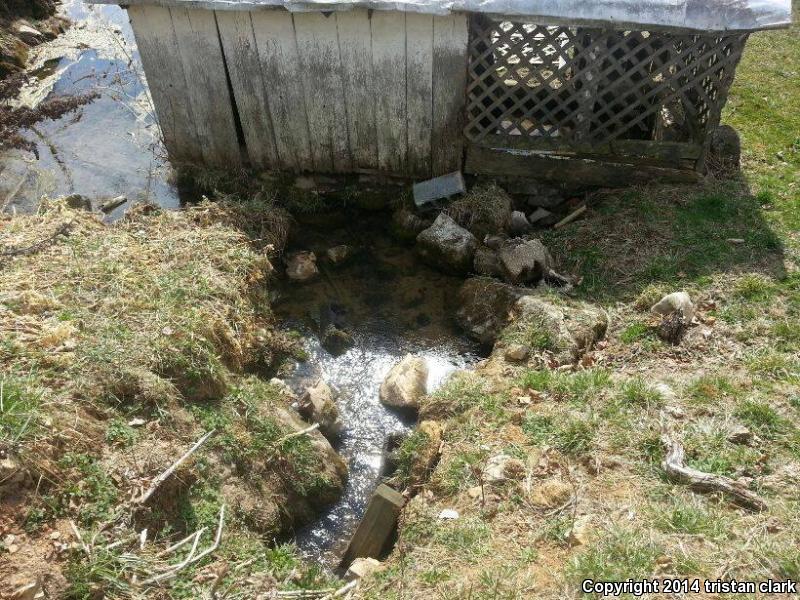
(447,245)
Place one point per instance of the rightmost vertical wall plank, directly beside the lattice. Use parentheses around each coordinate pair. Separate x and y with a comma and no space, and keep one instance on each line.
(450,42)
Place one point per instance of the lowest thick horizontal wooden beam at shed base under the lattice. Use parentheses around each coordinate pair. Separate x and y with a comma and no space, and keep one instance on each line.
(490,161)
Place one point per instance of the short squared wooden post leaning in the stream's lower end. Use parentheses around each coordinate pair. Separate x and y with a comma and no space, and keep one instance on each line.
(378,524)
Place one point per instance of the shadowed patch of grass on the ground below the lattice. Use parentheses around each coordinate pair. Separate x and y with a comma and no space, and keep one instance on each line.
(676,235)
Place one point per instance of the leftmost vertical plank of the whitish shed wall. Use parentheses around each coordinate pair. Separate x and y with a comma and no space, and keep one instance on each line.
(158,48)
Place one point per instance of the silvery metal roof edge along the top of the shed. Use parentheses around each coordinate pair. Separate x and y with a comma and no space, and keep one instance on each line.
(697,15)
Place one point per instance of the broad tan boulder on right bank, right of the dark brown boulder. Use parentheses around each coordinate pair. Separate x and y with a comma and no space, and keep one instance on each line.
(568,331)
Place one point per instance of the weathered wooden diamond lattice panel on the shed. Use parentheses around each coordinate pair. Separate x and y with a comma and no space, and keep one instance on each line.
(543,85)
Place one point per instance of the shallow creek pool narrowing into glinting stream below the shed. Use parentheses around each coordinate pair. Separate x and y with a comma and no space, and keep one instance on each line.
(392,305)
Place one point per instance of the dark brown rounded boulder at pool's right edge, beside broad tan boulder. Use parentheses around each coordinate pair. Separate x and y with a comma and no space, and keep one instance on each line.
(484,305)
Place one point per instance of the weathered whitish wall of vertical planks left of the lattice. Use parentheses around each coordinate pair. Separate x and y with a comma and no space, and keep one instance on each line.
(338,92)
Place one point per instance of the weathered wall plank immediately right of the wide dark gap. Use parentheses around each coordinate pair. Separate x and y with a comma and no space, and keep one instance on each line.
(252,101)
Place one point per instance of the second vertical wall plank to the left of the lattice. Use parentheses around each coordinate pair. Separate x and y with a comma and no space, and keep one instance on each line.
(419,82)
